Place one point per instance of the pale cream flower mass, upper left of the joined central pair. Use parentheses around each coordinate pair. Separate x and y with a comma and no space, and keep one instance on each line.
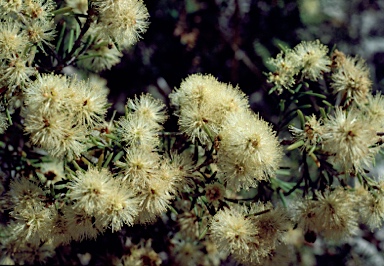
(203,103)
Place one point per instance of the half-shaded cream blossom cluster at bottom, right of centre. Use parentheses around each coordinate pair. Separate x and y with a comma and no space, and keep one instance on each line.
(249,234)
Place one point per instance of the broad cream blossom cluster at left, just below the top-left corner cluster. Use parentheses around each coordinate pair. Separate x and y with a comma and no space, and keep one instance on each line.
(60,112)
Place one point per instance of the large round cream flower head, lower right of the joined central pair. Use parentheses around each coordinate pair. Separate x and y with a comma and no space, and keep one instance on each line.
(249,150)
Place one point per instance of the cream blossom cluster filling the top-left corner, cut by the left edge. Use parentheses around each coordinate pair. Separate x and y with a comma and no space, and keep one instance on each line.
(24,25)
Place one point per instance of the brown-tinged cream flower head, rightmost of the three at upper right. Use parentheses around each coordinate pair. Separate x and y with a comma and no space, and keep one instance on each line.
(351,80)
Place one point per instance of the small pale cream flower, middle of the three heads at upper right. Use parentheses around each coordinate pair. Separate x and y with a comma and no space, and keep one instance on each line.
(313,59)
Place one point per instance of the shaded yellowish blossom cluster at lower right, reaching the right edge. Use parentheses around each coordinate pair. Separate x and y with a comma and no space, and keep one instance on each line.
(334,214)
